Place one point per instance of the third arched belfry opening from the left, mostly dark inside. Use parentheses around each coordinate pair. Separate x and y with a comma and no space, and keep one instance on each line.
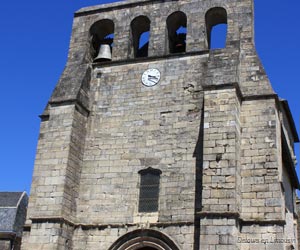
(176,25)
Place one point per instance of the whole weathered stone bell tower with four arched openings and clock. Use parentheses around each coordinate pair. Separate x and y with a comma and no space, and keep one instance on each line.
(154,140)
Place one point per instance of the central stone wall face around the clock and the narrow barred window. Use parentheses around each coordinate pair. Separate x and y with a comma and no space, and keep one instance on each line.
(133,127)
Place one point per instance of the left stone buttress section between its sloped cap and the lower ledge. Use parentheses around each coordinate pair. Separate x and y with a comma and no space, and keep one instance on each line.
(57,164)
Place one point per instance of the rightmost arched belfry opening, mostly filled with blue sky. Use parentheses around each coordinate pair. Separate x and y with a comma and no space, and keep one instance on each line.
(216,27)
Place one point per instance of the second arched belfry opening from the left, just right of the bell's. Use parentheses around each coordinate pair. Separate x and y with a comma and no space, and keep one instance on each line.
(140,28)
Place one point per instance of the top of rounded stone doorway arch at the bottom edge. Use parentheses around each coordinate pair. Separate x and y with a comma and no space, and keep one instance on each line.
(144,240)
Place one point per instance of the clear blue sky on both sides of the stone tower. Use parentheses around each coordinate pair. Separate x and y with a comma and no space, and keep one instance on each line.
(34,40)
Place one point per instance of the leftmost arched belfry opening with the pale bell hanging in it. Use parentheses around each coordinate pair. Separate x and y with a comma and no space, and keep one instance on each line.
(102,35)
